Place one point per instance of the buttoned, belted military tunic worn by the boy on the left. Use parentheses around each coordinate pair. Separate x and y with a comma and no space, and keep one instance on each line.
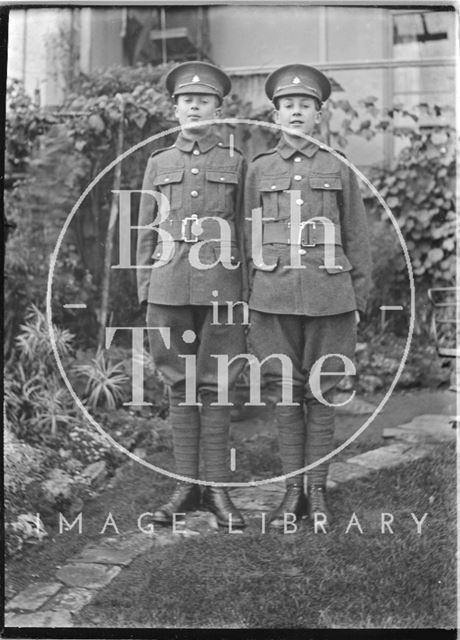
(201,177)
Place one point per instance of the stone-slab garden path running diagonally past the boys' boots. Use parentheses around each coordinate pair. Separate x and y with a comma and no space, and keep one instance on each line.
(407,437)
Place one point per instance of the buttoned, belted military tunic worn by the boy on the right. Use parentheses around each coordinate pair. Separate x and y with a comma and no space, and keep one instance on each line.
(324,186)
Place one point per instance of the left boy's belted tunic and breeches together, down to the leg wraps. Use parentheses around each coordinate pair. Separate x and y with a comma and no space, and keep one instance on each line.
(200,177)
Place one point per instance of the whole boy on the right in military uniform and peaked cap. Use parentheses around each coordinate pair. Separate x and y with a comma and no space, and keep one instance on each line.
(307,309)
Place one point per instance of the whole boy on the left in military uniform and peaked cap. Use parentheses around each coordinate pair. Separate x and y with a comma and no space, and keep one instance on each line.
(200,177)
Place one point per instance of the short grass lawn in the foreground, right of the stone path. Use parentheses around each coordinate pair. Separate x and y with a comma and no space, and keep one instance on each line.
(302,580)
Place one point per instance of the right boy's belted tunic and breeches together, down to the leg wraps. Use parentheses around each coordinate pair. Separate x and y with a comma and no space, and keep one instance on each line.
(306,312)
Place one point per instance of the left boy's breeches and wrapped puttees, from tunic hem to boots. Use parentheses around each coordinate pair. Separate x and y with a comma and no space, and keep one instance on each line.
(189,332)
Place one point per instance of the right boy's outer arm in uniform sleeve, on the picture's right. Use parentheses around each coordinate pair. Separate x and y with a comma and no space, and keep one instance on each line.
(355,237)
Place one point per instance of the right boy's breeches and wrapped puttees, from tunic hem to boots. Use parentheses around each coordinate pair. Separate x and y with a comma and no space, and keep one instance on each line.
(306,430)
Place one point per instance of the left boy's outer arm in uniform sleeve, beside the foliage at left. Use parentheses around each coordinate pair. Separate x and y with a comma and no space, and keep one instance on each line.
(146,238)
